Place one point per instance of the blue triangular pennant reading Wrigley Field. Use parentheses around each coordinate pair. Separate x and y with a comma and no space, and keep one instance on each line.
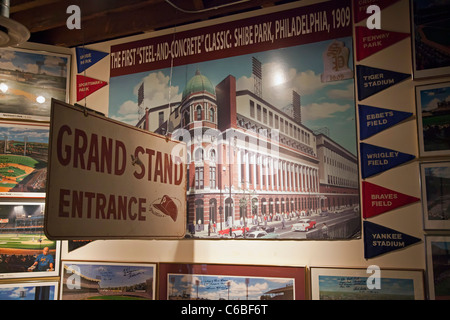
(376,159)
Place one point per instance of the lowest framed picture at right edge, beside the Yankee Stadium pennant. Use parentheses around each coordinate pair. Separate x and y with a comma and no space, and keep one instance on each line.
(438,264)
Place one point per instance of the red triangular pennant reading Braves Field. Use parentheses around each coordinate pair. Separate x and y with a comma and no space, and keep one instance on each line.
(378,200)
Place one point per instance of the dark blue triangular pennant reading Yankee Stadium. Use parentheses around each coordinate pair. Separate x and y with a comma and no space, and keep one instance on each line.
(379,239)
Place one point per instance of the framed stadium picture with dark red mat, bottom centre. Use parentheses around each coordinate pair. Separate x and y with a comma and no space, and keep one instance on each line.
(230,282)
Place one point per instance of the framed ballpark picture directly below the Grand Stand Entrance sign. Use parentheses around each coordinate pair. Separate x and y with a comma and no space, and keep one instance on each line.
(107,281)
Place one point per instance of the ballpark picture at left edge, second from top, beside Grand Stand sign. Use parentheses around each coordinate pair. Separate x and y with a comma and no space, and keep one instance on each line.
(23,158)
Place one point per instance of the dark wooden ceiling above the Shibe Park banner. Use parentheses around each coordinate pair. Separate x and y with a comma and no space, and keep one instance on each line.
(103,20)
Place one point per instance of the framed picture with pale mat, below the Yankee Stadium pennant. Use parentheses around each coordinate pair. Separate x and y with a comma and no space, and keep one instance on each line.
(365,284)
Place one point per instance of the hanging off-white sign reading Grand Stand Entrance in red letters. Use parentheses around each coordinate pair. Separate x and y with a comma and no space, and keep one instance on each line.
(109,180)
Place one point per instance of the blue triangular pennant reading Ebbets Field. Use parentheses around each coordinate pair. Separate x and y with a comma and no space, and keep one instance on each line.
(373,119)
